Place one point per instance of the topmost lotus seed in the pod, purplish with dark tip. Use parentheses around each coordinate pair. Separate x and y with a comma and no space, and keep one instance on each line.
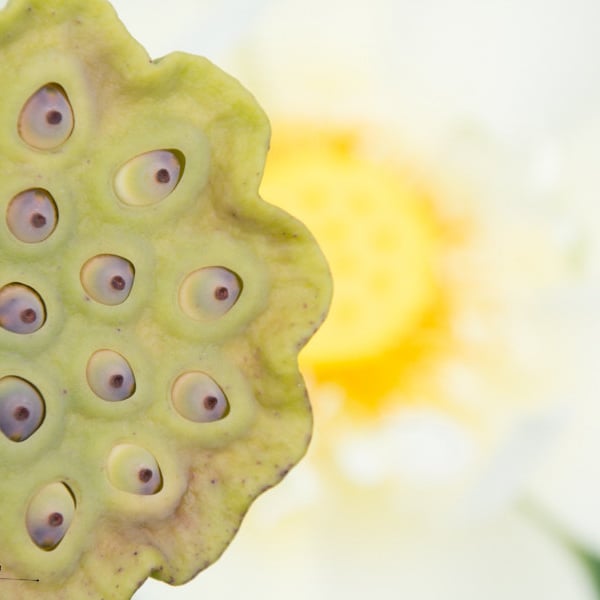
(46,120)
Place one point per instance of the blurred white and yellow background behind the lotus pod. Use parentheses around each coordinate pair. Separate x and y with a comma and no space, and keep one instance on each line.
(445,154)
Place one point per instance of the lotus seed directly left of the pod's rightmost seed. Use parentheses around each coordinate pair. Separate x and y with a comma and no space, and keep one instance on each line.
(107,278)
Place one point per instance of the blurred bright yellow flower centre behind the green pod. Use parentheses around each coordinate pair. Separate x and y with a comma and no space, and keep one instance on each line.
(379,233)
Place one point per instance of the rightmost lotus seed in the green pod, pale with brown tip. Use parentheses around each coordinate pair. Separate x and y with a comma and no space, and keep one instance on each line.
(209,293)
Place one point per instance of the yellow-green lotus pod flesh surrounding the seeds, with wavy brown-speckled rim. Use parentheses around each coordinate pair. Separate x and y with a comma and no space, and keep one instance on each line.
(123,106)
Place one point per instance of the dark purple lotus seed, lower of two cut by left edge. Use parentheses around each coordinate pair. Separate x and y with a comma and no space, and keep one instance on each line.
(22,408)
